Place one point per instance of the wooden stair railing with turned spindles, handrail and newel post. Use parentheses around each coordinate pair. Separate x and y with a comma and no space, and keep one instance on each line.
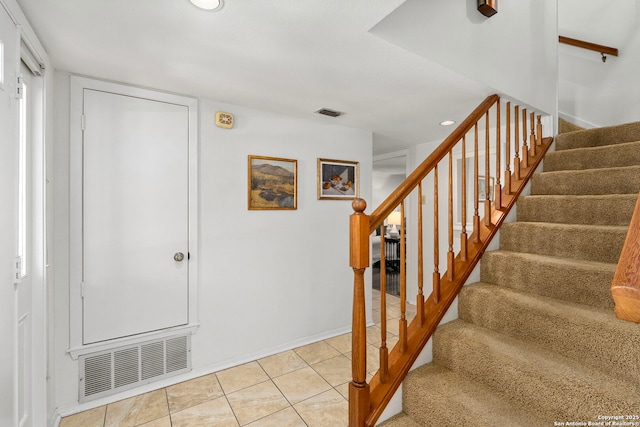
(367,400)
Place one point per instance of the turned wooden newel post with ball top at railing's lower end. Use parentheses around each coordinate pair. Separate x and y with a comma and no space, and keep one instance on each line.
(359,405)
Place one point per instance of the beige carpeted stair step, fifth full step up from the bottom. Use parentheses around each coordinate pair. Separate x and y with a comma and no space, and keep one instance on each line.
(601,243)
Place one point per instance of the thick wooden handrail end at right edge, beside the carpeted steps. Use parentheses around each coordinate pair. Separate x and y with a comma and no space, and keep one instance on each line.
(625,287)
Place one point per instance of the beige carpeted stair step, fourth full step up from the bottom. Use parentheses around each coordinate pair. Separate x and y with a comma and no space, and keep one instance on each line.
(579,281)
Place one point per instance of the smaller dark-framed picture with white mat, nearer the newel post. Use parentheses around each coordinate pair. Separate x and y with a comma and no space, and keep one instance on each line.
(338,179)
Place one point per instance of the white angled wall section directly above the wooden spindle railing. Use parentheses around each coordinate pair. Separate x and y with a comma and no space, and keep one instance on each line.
(514,52)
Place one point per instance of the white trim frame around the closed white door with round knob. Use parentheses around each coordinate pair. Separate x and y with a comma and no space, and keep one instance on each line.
(77,86)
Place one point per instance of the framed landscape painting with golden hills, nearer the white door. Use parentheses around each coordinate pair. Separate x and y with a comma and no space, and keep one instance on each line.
(272,183)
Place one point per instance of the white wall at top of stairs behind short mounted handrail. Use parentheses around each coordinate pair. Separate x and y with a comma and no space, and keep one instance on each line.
(593,93)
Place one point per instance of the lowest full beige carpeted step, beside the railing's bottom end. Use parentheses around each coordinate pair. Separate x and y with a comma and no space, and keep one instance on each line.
(437,396)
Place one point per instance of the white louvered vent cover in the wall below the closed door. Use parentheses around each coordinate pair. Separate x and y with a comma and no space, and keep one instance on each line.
(112,371)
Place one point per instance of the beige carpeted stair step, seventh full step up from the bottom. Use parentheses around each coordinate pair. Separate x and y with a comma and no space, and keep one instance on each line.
(617,180)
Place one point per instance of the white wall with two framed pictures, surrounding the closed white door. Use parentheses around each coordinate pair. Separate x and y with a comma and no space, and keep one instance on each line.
(268,280)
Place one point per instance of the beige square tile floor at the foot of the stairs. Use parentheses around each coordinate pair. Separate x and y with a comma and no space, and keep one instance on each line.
(306,386)
